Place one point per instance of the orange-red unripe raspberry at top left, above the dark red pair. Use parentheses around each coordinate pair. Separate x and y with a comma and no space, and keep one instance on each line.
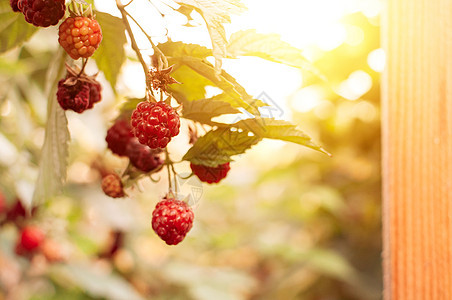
(80,36)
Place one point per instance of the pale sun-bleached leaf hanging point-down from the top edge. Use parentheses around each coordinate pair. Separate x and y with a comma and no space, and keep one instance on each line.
(215,14)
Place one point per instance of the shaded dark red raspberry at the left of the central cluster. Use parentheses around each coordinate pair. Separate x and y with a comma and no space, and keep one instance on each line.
(118,136)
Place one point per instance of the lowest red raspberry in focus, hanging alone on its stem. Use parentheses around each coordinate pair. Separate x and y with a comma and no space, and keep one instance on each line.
(172,220)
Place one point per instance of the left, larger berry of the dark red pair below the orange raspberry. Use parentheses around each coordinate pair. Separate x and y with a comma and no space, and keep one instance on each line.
(73,96)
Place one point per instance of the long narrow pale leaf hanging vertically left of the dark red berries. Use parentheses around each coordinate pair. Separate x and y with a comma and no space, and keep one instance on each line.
(53,164)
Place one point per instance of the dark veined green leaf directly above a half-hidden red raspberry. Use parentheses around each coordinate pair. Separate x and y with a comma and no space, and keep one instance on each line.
(217,146)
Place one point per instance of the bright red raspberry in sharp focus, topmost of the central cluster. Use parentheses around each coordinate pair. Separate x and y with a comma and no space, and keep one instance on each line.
(154,124)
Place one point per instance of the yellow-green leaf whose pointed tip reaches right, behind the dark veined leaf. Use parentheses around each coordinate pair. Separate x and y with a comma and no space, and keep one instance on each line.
(277,129)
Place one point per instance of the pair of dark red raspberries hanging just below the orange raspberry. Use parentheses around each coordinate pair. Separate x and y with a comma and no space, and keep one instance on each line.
(78,94)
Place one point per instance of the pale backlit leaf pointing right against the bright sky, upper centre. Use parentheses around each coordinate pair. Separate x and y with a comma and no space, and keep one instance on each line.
(269,47)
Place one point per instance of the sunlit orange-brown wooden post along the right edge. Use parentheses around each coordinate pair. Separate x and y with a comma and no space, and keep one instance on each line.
(417,150)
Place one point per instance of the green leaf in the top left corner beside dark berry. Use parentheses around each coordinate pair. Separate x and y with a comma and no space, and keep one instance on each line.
(14,30)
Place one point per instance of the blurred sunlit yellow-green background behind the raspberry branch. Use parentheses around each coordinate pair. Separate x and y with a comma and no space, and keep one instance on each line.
(287,223)
